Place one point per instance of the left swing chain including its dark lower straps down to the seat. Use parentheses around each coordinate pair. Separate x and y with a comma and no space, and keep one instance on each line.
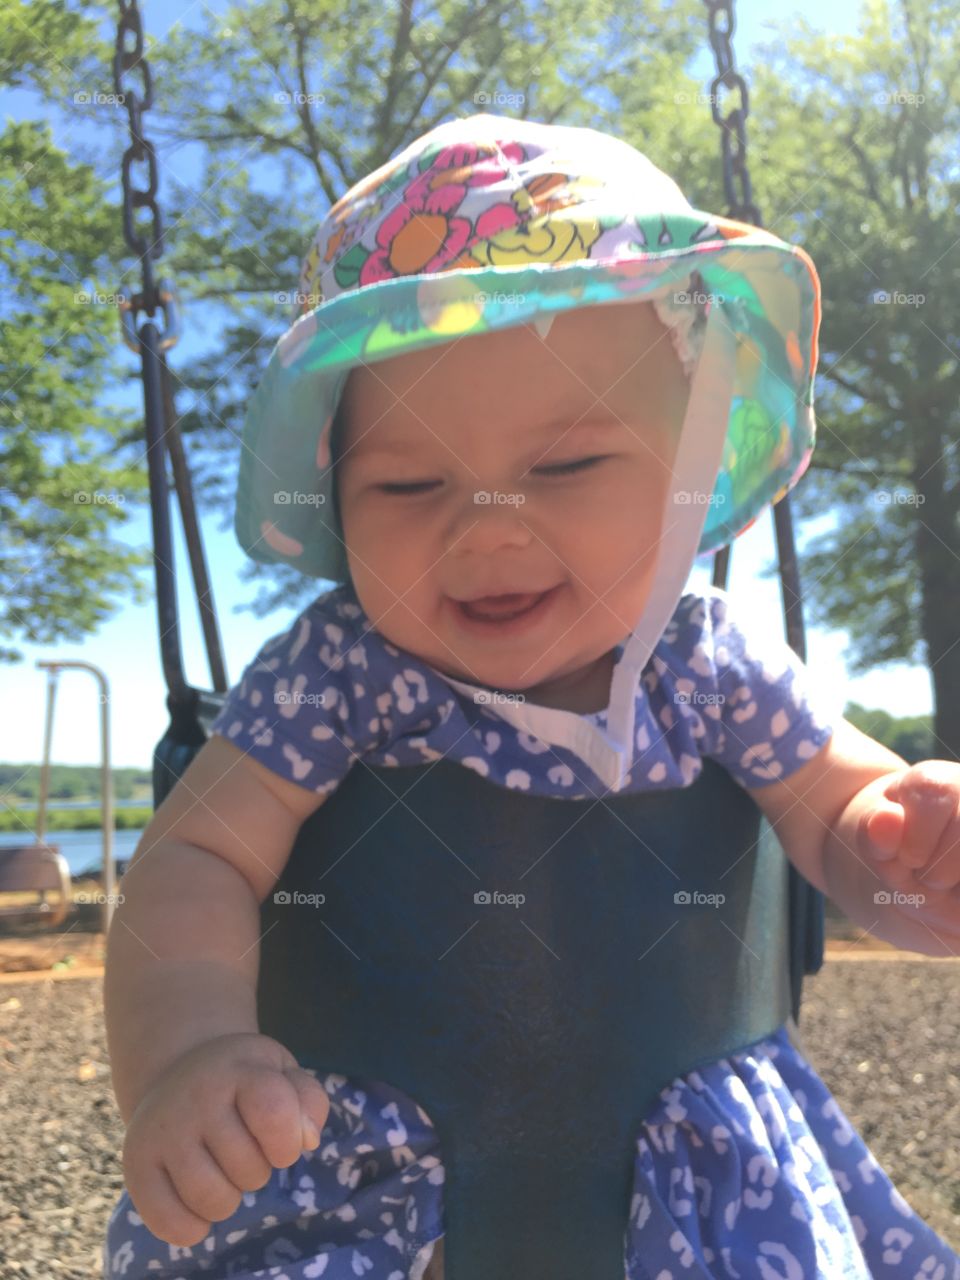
(161,418)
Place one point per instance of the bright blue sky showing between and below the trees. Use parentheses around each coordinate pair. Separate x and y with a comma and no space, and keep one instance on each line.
(126,647)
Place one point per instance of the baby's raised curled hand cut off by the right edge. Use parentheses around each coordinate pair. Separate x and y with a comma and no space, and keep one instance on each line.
(915,830)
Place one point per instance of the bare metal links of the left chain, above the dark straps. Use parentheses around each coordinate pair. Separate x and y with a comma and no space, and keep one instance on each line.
(152,245)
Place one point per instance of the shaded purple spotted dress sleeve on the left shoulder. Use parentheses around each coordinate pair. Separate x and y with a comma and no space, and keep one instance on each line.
(303,707)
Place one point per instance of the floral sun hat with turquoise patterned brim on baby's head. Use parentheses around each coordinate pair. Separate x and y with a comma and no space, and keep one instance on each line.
(490,222)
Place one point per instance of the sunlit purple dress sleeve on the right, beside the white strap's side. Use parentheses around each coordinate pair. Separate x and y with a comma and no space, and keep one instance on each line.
(770,716)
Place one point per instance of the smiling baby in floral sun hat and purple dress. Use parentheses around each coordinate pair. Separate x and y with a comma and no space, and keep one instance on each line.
(509,508)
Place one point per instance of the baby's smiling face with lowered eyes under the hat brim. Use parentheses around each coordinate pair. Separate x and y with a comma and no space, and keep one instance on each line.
(515,418)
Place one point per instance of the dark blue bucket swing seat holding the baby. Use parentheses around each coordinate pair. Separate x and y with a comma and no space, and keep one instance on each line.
(502,1020)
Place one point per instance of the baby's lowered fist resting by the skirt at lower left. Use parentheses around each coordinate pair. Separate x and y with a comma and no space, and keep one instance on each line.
(214,1126)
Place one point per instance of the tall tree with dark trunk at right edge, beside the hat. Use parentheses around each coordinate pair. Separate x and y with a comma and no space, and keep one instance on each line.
(862,172)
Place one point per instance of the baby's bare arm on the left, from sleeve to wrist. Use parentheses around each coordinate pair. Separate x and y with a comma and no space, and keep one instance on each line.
(182,956)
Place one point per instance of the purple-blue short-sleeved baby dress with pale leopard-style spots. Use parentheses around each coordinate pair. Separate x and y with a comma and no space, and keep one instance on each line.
(746,1169)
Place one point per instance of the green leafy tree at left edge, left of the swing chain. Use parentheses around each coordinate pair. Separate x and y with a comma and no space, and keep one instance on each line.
(65,487)
